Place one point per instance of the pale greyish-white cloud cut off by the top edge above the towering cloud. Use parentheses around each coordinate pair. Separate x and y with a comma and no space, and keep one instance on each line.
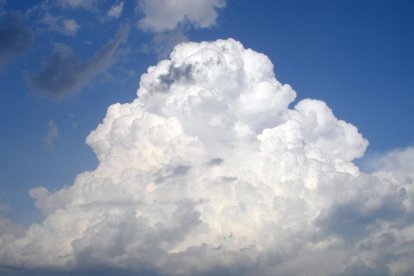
(166,15)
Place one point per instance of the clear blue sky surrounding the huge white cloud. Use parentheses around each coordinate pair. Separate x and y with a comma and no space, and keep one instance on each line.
(355,55)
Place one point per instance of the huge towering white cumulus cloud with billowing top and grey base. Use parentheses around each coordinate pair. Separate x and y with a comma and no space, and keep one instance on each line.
(214,170)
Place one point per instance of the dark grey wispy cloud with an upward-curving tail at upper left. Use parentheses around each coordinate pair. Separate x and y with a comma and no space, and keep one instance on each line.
(65,73)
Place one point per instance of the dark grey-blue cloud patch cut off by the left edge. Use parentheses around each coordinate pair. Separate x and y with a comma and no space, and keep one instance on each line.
(14,38)
